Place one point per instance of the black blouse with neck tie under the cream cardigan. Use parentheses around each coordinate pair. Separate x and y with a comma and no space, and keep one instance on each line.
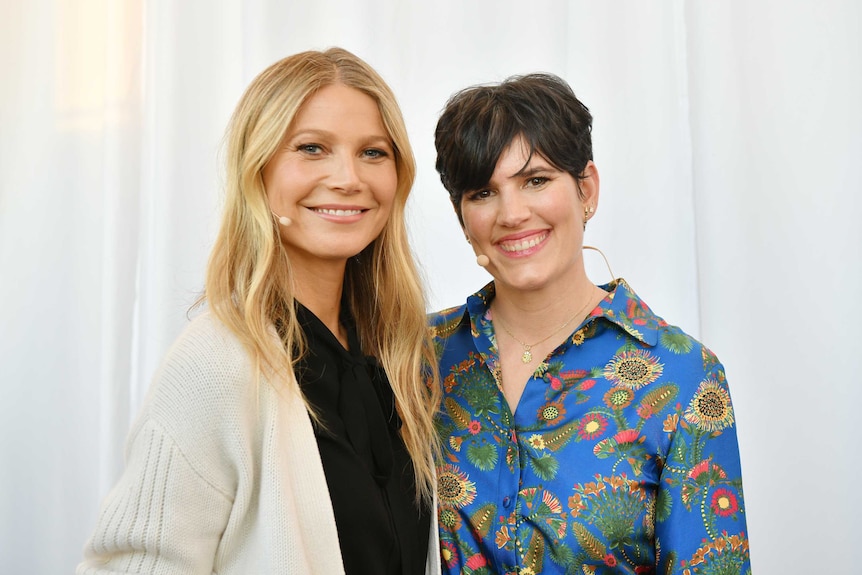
(368,470)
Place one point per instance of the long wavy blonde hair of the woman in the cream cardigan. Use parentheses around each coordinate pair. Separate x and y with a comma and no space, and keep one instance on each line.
(248,282)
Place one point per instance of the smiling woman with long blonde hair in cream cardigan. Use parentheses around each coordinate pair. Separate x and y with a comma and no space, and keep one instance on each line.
(289,429)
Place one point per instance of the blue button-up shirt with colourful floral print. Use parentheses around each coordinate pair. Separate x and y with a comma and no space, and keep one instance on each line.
(621,456)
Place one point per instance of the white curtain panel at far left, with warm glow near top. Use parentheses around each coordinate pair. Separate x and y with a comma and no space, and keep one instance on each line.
(70,171)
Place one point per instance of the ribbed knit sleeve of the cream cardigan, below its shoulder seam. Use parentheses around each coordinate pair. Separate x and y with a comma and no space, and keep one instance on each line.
(161,518)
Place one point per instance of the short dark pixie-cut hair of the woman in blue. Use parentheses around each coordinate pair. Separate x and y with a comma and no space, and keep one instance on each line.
(480,122)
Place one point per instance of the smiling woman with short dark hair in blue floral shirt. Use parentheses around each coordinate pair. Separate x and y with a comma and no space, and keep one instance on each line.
(581,432)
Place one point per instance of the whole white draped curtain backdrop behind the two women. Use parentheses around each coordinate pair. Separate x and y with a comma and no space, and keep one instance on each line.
(728,136)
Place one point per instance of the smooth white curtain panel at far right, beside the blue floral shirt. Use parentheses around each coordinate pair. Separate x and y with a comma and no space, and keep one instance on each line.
(777,148)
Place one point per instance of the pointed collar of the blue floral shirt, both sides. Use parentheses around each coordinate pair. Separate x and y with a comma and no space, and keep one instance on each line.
(622,307)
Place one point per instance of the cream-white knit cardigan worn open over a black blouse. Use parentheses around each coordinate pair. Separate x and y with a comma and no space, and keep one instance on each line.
(222,476)
